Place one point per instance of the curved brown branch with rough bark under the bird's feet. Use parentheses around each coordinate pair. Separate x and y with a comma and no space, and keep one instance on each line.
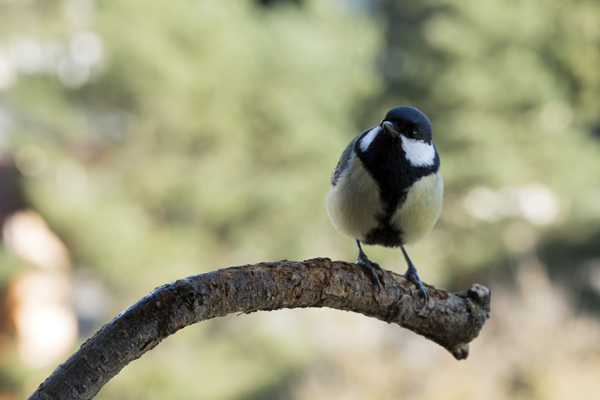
(451,320)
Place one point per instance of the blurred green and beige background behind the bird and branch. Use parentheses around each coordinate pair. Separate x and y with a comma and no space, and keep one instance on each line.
(142,142)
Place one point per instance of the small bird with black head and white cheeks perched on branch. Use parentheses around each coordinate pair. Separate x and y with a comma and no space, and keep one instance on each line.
(387,188)
